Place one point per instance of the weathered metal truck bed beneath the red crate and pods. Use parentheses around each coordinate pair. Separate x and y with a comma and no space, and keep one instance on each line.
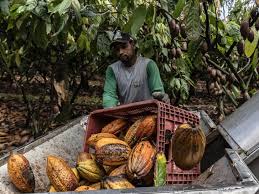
(228,175)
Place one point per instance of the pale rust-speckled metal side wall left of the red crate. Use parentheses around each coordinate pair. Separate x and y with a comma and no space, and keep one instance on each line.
(66,145)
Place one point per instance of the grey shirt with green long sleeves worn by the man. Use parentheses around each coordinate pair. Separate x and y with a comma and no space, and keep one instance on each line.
(131,84)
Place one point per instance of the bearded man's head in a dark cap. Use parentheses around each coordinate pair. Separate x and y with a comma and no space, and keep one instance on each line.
(124,47)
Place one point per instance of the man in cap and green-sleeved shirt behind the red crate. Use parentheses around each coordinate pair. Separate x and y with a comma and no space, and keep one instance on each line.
(132,78)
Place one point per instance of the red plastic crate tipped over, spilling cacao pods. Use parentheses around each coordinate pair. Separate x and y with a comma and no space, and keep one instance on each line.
(168,118)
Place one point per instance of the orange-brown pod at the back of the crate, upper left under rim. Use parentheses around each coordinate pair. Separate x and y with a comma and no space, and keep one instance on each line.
(115,126)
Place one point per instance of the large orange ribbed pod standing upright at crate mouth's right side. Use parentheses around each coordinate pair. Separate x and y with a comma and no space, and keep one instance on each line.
(141,160)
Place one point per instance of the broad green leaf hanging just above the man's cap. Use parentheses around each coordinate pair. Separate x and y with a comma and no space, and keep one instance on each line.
(136,20)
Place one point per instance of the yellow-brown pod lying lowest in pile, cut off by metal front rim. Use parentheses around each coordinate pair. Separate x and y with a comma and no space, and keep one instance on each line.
(116,182)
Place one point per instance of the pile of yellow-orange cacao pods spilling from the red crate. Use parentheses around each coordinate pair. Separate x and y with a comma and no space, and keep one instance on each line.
(121,159)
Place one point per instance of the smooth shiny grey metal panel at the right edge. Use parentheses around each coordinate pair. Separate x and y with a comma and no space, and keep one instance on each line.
(243,125)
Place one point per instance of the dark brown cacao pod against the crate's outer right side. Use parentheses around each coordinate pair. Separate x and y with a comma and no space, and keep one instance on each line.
(188,146)
